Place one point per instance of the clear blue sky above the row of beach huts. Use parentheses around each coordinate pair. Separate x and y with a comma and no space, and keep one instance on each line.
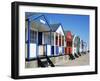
(77,24)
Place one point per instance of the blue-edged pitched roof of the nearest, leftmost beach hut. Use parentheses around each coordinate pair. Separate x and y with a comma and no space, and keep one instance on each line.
(39,22)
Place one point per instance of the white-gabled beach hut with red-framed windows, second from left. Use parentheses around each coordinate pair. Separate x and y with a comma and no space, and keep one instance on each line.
(57,39)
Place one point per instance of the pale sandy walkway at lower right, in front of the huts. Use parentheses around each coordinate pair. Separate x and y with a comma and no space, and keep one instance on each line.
(80,61)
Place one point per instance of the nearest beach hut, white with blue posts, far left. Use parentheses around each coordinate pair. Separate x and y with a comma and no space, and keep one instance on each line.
(37,35)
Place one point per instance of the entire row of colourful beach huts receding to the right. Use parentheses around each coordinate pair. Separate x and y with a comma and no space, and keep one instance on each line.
(44,39)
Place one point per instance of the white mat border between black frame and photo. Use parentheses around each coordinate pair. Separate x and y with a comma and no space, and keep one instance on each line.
(36,71)
